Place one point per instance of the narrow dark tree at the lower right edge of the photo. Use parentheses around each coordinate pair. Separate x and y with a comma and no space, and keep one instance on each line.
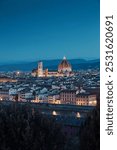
(90,132)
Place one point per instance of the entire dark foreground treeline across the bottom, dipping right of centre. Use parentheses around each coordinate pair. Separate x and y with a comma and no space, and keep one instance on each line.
(24,128)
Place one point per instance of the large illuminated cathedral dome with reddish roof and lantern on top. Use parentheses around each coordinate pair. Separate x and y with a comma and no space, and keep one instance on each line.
(64,66)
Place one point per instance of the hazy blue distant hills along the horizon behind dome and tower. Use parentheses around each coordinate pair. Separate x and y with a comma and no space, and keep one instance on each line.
(52,65)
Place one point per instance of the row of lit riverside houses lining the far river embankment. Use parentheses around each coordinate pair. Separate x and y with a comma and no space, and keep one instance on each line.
(73,97)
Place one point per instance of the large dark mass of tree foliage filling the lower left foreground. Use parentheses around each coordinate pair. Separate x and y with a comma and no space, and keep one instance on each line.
(22,128)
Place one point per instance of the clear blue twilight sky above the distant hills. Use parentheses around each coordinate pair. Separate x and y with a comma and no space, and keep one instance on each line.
(47,29)
